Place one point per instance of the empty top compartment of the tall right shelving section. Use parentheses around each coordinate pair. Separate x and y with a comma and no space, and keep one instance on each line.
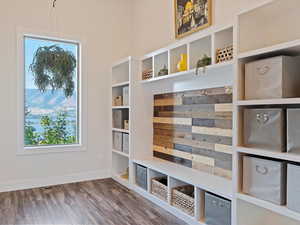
(257,29)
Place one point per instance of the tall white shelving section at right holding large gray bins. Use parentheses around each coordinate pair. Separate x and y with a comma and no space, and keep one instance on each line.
(248,51)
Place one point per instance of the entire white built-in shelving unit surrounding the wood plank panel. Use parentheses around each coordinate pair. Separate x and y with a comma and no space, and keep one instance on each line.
(246,210)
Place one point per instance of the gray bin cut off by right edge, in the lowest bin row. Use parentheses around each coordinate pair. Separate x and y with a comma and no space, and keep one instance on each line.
(293,187)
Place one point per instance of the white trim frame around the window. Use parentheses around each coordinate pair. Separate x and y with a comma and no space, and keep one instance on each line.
(82,98)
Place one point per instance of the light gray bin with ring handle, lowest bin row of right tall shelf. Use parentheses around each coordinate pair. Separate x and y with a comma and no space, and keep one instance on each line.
(265,179)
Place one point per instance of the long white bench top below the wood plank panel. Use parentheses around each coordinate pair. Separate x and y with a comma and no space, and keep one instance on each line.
(205,181)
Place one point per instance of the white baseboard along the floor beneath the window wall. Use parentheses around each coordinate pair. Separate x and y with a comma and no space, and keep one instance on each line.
(50,181)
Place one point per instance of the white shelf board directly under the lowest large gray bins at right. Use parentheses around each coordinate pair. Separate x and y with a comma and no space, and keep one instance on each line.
(282,210)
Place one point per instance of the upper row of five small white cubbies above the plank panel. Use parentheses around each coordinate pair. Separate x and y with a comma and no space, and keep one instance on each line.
(195,49)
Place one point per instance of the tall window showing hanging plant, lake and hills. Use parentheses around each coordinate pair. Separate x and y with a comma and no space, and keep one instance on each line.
(51,92)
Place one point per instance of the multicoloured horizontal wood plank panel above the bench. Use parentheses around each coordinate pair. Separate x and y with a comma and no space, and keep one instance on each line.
(194,129)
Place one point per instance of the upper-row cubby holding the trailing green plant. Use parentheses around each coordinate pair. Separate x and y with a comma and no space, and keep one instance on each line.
(198,49)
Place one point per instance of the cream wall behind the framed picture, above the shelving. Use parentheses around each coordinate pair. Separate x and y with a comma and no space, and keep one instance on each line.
(154,28)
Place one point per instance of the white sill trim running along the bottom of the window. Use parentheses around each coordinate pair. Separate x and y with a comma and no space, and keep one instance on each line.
(50,149)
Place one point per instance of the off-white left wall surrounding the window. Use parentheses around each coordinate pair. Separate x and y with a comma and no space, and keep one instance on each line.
(101,23)
